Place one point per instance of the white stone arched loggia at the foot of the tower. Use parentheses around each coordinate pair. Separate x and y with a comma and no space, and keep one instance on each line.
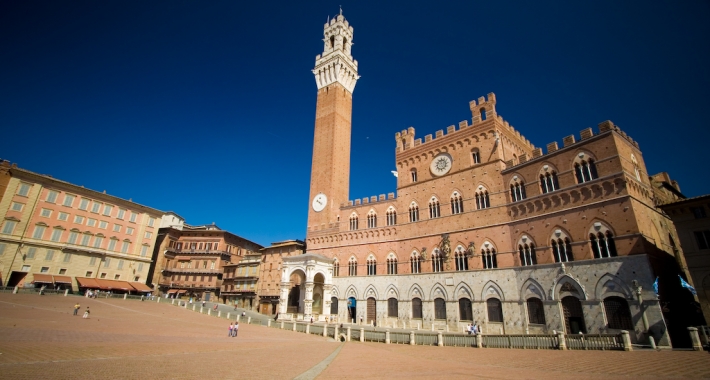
(314,291)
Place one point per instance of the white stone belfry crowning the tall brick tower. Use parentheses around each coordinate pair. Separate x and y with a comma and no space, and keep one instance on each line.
(336,64)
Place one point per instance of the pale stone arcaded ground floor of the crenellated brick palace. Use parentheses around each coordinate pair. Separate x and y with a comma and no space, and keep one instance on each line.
(436,301)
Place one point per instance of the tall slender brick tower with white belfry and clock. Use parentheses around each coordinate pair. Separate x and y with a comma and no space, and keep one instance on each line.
(336,75)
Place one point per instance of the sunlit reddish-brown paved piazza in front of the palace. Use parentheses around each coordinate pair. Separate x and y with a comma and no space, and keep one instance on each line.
(125,339)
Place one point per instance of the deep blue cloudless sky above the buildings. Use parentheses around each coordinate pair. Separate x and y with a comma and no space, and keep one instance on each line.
(207,108)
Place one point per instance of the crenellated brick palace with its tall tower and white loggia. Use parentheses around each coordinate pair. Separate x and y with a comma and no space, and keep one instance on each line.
(484,226)
